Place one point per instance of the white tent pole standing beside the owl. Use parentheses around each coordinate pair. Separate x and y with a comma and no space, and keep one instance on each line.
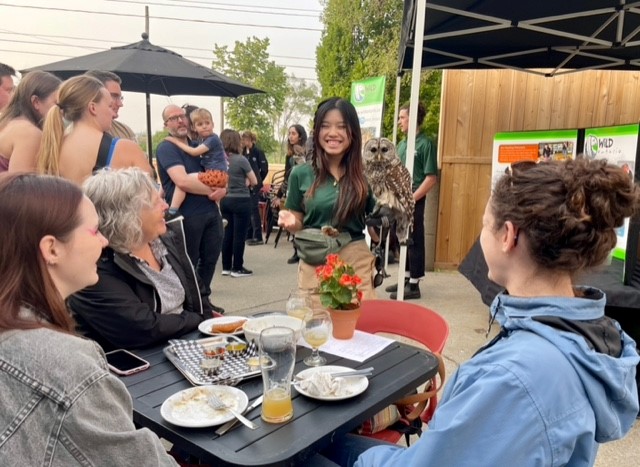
(421,10)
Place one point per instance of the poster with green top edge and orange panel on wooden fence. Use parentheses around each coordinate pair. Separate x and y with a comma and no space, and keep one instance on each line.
(538,146)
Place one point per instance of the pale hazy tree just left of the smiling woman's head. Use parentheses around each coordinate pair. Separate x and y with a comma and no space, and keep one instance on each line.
(299,107)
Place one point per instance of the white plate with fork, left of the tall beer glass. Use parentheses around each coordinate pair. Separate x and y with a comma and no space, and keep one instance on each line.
(189,408)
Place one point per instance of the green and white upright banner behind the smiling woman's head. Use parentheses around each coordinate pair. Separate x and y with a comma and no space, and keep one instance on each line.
(367,96)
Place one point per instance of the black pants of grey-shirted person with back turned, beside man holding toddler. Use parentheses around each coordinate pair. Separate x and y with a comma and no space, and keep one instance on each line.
(237,211)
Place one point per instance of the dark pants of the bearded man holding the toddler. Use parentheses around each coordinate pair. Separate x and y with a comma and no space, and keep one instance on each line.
(203,236)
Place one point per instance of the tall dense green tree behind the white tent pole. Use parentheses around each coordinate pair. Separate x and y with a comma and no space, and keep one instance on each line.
(361,39)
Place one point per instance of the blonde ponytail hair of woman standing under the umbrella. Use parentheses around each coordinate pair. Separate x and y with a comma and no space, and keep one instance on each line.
(73,98)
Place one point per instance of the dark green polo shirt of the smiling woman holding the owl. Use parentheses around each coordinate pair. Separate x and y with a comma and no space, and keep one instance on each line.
(319,210)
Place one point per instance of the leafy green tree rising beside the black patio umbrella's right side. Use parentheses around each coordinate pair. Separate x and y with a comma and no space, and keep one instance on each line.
(249,63)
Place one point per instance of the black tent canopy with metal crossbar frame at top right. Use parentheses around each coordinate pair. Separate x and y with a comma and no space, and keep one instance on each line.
(566,35)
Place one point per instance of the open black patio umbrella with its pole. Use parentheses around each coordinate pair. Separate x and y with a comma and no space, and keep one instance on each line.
(148,68)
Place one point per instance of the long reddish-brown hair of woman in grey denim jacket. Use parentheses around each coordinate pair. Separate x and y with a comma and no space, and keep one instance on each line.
(33,206)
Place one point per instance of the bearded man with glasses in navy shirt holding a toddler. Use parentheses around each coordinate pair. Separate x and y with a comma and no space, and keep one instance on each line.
(202,220)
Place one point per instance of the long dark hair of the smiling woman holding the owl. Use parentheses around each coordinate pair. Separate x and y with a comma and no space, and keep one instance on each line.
(353,184)
